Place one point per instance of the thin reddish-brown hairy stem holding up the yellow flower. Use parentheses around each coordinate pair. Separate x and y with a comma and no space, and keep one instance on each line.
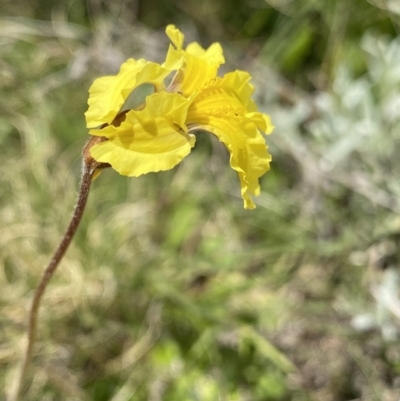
(88,171)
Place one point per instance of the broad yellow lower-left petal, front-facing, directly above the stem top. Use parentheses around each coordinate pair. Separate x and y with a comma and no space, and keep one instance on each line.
(149,140)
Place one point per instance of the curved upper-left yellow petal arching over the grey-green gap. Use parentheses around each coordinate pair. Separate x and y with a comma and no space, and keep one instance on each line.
(108,94)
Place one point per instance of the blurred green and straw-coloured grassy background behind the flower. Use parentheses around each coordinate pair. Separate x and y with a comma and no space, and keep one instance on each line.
(171,290)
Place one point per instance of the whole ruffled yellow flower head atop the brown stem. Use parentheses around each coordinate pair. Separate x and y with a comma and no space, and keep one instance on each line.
(159,133)
